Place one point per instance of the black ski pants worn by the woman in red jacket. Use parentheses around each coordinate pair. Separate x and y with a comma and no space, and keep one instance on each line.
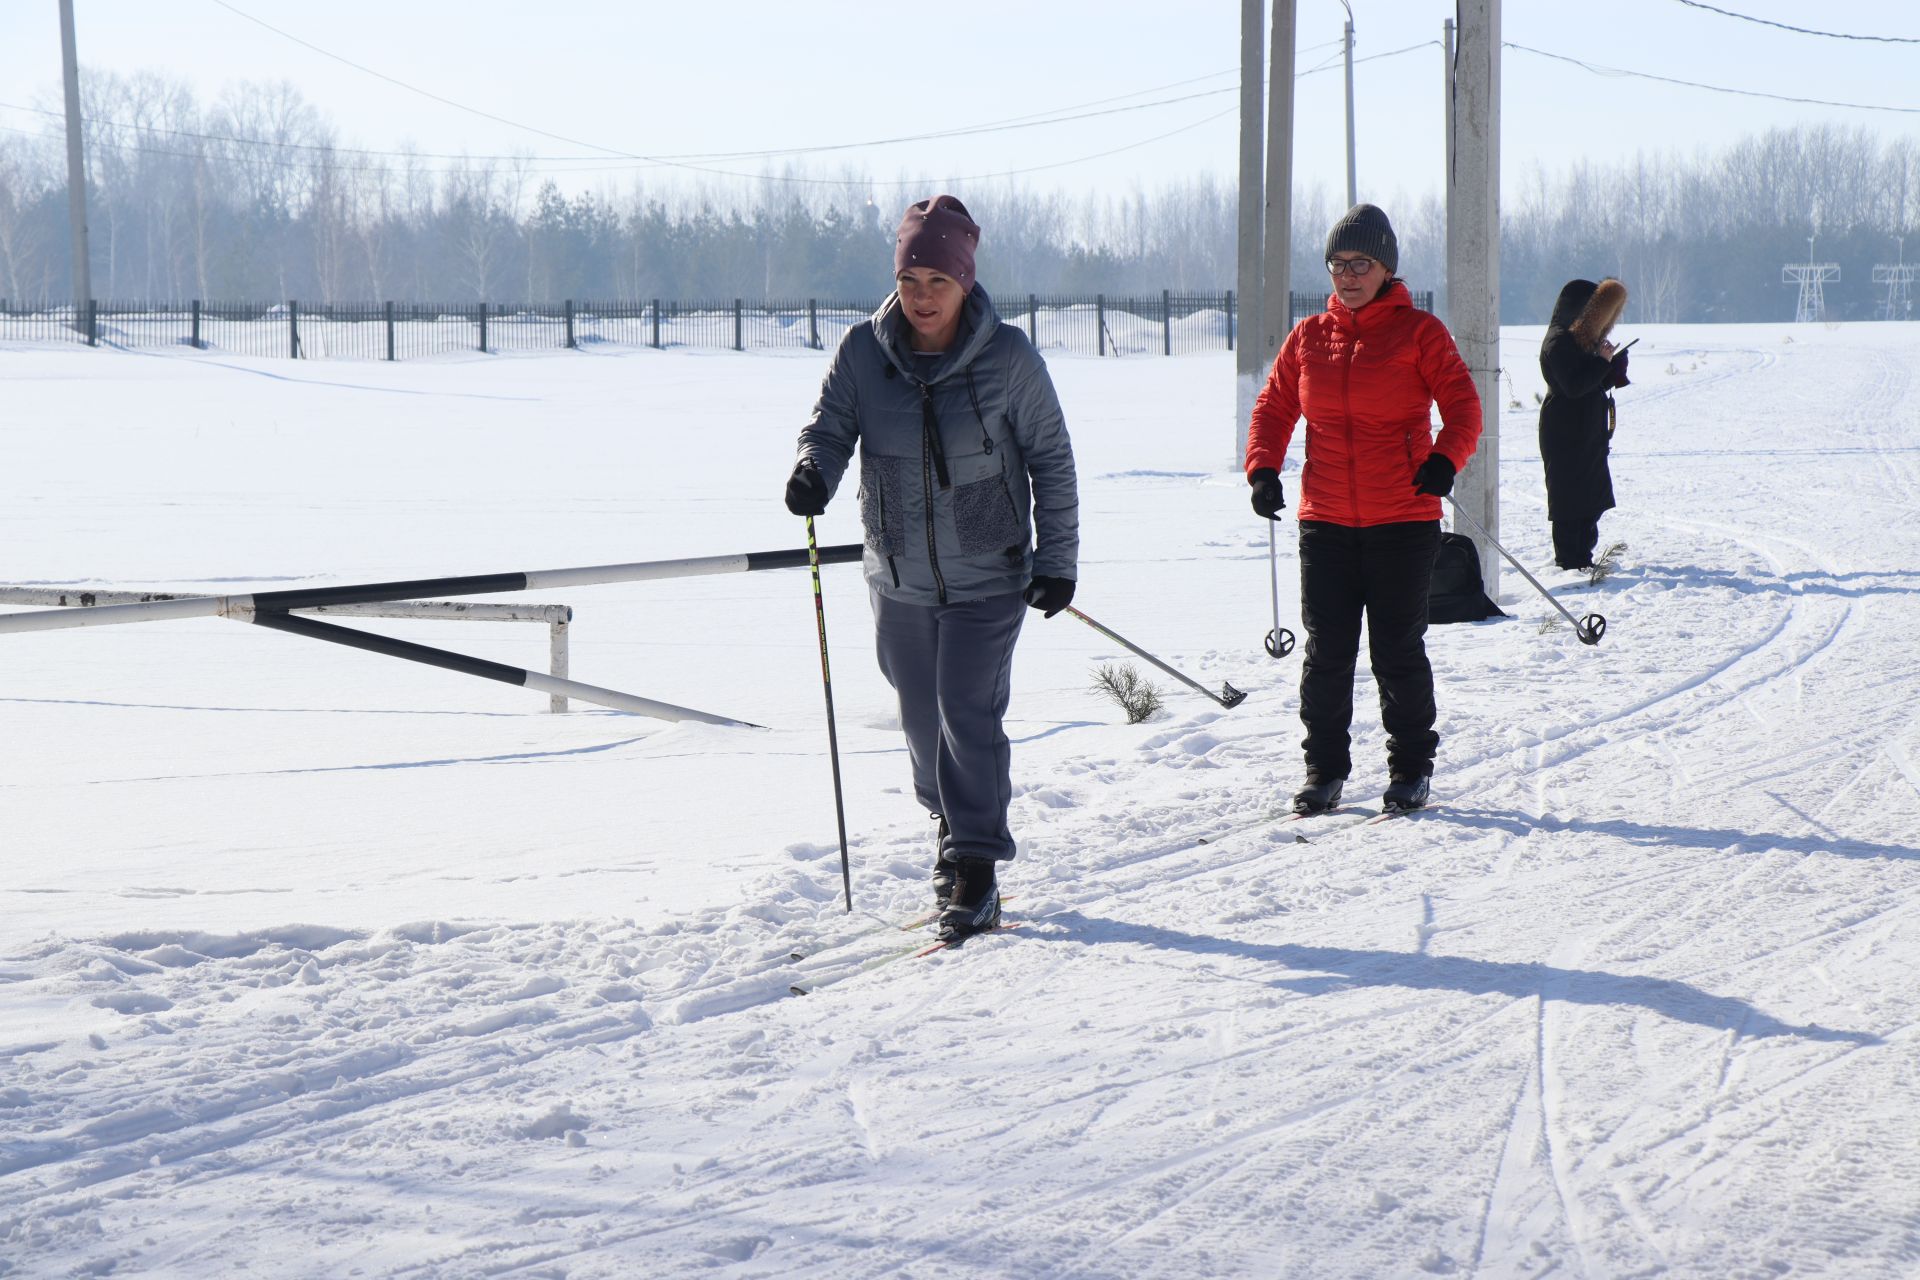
(1383,575)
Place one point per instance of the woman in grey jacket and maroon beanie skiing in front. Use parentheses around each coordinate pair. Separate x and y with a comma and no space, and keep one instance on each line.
(971,510)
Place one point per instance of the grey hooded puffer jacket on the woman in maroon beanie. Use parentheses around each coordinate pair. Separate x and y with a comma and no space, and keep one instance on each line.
(965,458)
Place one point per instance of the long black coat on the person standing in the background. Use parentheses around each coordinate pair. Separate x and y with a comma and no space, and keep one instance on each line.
(1575,415)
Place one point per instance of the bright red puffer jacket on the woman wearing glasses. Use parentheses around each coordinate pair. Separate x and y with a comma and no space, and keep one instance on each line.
(1366,381)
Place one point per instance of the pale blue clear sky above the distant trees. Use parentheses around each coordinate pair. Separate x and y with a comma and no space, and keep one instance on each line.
(752,76)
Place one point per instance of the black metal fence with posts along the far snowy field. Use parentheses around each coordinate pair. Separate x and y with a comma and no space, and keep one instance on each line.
(1086,325)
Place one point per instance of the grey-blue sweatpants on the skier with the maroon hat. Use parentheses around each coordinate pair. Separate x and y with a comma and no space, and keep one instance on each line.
(953,669)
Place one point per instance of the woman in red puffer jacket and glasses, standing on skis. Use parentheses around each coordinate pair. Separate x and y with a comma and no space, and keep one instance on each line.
(1366,375)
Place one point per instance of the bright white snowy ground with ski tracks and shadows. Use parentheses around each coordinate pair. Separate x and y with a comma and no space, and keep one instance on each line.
(322,964)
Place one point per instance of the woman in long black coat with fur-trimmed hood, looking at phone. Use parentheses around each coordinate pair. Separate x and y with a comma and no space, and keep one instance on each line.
(1581,367)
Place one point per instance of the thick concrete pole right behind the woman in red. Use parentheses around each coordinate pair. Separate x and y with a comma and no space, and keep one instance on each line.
(1474,254)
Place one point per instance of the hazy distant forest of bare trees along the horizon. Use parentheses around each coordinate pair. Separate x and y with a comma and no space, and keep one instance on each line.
(252,199)
